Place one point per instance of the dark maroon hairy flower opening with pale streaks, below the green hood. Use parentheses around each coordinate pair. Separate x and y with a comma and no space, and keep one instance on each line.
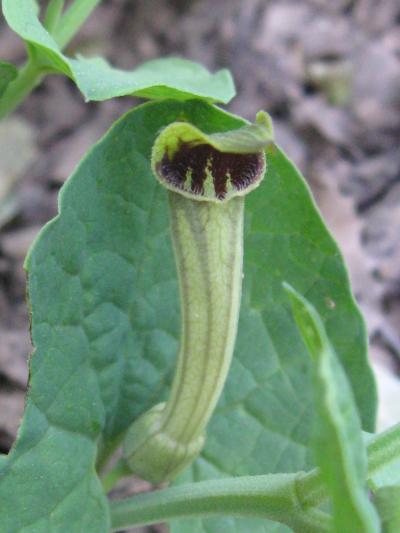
(202,171)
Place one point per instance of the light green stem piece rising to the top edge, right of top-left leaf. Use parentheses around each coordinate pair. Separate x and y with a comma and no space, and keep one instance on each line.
(72,20)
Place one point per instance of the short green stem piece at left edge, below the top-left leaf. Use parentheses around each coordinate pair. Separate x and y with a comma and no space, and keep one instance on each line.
(28,77)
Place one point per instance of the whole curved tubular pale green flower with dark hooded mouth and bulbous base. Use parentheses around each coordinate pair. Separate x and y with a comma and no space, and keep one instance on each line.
(207,177)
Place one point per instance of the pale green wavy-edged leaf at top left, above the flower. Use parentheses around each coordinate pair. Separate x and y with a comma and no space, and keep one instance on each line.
(97,80)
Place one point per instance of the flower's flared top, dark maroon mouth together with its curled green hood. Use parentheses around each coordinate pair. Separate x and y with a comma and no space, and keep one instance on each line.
(212,167)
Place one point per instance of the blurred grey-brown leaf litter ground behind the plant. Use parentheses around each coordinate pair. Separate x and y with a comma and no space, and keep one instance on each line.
(329,74)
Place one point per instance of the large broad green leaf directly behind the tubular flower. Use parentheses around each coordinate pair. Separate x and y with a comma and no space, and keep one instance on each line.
(105,324)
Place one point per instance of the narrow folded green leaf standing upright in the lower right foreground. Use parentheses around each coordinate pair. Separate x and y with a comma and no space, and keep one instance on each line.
(339,448)
